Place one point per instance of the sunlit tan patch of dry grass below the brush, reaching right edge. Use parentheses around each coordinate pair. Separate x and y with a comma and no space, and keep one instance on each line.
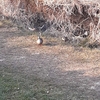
(71,58)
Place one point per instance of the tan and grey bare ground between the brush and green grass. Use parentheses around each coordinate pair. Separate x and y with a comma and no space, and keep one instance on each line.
(75,70)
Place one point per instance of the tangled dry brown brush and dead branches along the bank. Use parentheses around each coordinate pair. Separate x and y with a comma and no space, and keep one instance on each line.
(71,18)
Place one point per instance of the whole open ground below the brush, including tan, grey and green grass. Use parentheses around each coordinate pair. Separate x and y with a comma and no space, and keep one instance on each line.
(52,71)
